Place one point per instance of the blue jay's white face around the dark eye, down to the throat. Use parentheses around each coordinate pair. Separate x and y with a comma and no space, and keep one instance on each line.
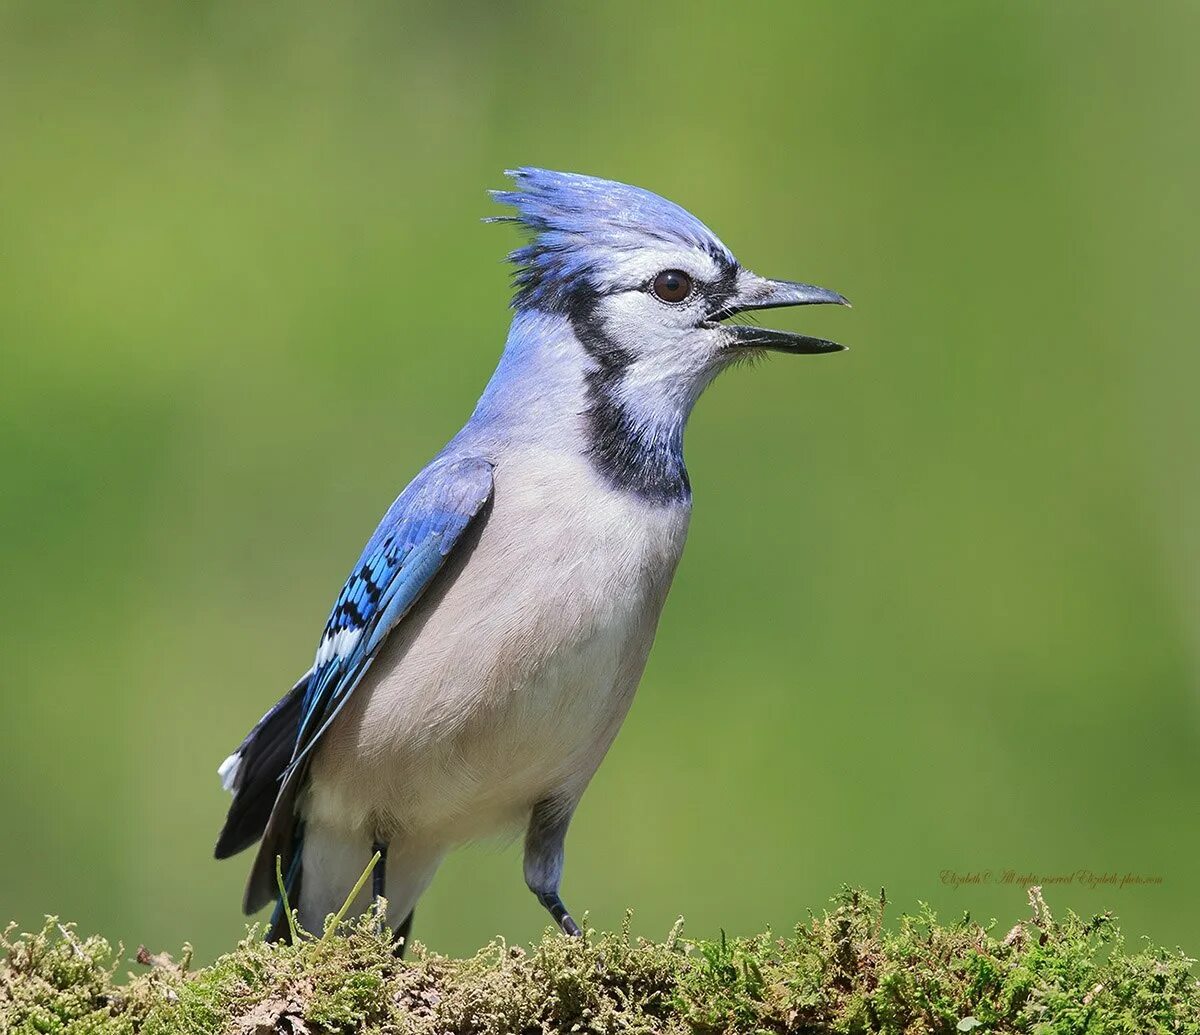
(663,322)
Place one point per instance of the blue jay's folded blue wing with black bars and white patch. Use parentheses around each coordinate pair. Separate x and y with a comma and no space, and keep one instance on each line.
(404,555)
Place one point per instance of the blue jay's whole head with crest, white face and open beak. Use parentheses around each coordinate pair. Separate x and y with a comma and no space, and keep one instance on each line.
(645,284)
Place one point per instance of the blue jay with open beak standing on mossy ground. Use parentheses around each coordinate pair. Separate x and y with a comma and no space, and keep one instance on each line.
(485,650)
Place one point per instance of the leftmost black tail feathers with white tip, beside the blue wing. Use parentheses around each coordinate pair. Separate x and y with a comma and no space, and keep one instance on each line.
(255,770)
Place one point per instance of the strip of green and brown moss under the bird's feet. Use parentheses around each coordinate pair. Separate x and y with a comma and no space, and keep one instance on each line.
(841,972)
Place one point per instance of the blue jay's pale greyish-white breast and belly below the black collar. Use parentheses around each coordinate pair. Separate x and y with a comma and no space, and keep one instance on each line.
(512,677)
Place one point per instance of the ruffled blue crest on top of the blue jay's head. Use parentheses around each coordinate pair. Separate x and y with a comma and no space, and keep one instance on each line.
(580,223)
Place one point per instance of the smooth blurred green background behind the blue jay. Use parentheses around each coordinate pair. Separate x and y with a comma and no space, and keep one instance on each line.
(939,609)
